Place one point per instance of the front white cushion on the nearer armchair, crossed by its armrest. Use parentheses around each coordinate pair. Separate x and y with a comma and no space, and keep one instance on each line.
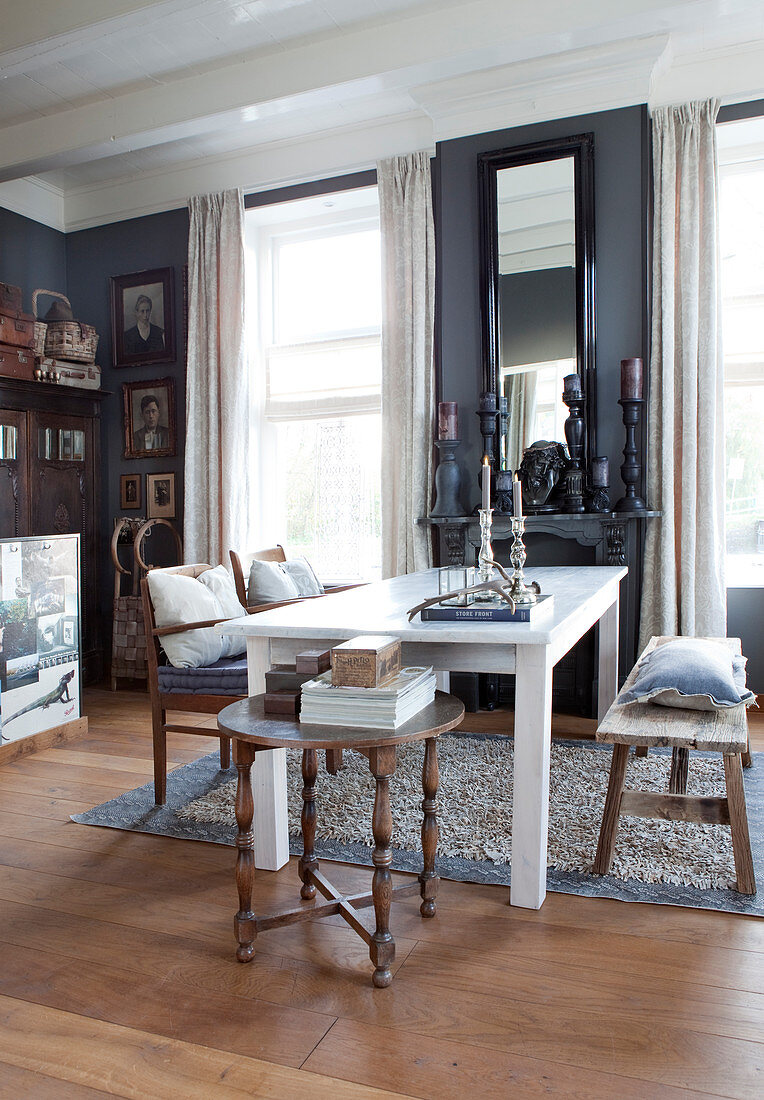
(179,599)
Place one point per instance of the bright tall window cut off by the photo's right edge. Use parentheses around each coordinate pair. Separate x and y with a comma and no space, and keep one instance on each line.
(741,157)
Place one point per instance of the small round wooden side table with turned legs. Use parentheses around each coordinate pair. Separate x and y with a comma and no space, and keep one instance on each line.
(253,731)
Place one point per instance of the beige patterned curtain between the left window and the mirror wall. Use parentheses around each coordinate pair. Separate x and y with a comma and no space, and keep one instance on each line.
(408,246)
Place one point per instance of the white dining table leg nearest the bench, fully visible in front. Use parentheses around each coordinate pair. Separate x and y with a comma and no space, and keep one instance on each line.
(532,799)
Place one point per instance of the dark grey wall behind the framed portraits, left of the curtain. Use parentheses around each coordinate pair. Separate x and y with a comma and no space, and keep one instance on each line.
(93,257)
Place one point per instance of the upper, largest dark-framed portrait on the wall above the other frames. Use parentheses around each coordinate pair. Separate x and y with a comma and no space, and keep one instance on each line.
(143,317)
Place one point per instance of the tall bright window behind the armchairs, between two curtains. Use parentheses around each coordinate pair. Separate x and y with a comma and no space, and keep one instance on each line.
(316,353)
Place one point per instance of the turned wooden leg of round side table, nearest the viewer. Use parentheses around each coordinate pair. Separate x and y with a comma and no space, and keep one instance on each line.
(382,951)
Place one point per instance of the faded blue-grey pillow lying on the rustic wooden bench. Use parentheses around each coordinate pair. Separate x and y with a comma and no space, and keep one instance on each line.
(692,674)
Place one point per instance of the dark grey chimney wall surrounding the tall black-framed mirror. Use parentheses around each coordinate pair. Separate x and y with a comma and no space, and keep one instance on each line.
(621,255)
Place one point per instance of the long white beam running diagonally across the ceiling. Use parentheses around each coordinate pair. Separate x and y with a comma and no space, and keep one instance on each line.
(490,34)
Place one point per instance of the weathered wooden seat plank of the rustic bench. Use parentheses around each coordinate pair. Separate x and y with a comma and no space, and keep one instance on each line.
(724,731)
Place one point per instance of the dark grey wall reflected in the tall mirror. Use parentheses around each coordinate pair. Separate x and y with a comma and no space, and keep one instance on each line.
(538,313)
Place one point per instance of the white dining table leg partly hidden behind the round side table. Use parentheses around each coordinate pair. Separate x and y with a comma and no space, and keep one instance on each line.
(269,776)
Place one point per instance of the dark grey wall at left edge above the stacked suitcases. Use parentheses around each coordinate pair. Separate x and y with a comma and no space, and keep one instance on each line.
(32,257)
